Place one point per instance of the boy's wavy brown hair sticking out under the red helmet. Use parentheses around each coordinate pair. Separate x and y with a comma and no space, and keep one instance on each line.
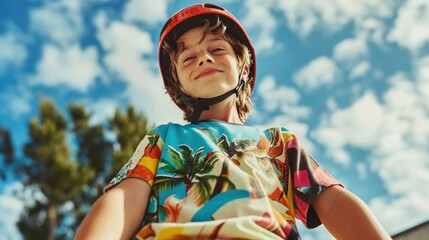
(244,102)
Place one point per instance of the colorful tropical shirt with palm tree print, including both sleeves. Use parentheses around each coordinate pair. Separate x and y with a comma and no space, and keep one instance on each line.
(216,180)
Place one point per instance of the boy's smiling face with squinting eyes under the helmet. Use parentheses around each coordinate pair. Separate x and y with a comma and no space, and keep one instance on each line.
(206,67)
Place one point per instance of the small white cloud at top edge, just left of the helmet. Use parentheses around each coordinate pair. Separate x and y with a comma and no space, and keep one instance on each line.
(146,11)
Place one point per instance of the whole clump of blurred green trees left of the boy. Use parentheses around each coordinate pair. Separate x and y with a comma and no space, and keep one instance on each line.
(67,162)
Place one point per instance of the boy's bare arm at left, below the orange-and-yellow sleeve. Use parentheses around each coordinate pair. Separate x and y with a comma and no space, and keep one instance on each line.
(118,213)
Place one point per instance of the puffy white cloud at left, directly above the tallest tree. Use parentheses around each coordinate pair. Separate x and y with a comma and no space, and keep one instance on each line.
(73,67)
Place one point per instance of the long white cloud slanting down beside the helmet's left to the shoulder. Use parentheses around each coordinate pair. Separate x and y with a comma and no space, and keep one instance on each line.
(126,47)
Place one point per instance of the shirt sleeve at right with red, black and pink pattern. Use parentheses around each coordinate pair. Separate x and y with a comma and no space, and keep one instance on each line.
(309,180)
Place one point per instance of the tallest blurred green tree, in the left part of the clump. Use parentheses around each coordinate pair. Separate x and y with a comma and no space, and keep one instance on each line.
(50,170)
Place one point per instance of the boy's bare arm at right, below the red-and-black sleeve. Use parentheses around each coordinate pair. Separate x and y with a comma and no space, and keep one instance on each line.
(346,216)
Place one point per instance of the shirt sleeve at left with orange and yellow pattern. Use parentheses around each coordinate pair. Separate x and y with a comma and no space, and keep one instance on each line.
(143,163)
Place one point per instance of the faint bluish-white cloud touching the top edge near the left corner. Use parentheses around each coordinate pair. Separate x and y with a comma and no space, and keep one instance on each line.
(59,21)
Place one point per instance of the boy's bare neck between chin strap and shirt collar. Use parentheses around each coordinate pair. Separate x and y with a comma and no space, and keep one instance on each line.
(224,111)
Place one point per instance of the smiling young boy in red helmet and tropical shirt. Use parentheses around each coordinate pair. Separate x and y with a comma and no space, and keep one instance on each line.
(215,177)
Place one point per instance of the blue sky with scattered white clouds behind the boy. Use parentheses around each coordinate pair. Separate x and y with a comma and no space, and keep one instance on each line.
(350,78)
